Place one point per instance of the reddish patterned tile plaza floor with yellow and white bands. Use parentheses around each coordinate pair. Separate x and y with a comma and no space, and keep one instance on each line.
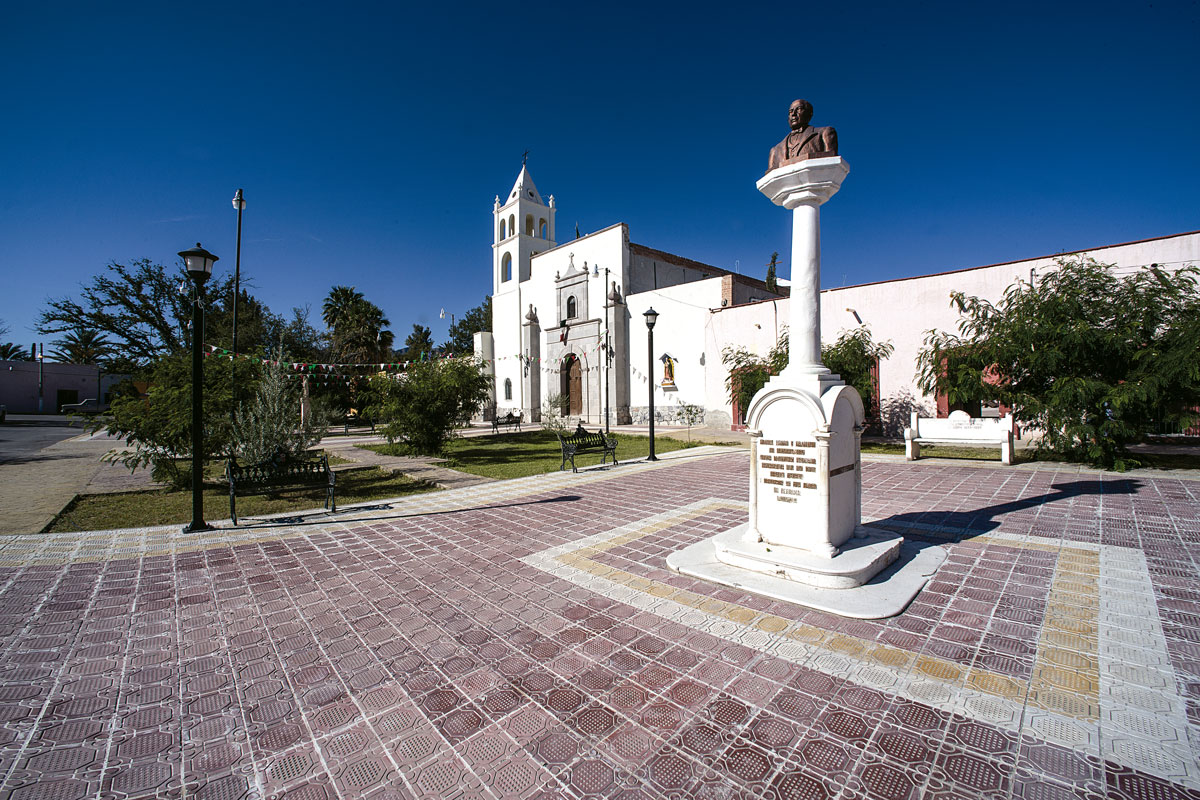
(524,640)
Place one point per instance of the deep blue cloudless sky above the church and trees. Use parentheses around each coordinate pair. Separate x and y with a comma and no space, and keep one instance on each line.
(370,140)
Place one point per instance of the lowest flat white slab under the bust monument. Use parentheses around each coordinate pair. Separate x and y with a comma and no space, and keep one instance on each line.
(889,594)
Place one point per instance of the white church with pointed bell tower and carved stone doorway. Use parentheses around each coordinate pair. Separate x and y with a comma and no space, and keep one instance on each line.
(568,320)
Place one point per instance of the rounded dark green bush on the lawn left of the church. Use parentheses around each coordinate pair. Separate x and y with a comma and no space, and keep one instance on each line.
(423,406)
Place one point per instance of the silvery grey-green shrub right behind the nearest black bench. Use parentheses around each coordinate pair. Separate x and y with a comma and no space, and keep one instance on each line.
(271,428)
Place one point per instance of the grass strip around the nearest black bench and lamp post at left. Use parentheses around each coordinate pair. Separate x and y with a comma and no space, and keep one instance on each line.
(166,507)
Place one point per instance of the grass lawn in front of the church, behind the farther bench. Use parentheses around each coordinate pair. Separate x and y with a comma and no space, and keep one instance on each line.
(532,453)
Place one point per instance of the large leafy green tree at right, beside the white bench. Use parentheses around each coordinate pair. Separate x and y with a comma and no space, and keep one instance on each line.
(1090,359)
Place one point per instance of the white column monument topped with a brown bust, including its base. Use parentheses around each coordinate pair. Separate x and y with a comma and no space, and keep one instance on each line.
(805,542)
